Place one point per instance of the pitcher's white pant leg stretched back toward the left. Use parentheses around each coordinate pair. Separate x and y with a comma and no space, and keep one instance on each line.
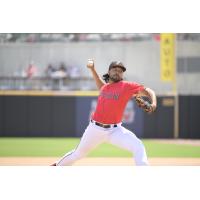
(91,138)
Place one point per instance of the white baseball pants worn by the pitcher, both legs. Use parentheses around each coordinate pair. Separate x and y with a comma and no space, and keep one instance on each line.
(95,135)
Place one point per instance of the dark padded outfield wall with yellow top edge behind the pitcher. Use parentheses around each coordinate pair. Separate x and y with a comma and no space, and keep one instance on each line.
(51,114)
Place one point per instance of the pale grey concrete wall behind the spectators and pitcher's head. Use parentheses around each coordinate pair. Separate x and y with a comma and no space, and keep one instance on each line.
(142,59)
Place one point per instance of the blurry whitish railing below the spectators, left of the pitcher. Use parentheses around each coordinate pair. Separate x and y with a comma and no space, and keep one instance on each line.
(46,83)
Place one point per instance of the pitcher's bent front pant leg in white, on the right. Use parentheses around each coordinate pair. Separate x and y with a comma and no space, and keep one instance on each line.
(125,139)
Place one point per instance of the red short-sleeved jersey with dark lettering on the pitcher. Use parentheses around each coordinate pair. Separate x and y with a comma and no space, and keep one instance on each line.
(112,101)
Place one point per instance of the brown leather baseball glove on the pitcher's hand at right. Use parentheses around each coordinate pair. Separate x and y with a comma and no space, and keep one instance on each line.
(144,104)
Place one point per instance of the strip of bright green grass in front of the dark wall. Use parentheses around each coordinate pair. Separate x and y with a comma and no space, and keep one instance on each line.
(59,146)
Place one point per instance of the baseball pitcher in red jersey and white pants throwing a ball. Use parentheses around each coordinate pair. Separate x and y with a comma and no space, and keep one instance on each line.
(105,124)
